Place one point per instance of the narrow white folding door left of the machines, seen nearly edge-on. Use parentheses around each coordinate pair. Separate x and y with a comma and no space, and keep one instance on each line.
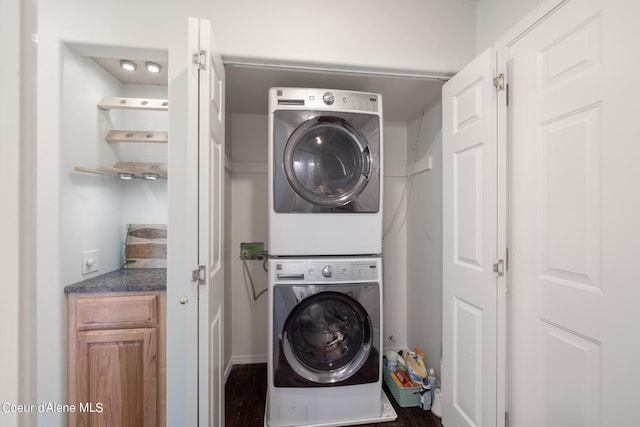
(210,229)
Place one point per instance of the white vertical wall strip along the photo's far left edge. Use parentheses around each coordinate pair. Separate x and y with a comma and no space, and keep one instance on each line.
(17,218)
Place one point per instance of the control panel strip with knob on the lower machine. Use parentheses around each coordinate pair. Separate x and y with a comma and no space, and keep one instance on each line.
(327,270)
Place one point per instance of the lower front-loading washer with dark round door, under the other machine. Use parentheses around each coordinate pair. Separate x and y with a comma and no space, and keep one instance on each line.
(325,363)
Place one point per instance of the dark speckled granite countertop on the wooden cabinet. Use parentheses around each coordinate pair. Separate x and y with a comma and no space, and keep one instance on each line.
(123,280)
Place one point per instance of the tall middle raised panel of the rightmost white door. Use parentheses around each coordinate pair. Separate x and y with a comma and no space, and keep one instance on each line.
(569,194)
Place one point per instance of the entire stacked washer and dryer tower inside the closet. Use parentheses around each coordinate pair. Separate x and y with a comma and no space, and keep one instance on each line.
(325,266)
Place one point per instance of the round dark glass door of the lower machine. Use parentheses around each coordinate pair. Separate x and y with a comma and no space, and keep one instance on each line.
(327,338)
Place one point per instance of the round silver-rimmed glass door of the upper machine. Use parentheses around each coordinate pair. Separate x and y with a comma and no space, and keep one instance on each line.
(327,161)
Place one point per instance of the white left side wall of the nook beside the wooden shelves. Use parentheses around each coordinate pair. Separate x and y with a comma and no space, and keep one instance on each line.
(90,205)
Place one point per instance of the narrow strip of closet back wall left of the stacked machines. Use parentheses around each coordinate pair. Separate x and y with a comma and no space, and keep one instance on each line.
(248,224)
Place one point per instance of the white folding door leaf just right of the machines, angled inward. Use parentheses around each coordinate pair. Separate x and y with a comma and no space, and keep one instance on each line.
(473,358)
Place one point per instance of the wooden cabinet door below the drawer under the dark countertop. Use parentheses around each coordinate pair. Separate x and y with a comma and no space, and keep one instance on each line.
(117,378)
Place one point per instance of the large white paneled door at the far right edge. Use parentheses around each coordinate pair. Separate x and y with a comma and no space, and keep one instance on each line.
(575,202)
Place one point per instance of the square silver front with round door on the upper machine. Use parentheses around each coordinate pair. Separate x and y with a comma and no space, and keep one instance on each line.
(326,162)
